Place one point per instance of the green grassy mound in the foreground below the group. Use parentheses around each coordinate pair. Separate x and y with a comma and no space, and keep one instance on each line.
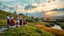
(27,31)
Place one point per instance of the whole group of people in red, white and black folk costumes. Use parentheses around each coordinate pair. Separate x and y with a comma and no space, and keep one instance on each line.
(19,21)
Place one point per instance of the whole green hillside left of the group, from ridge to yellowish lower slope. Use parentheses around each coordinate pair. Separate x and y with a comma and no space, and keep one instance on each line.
(3,15)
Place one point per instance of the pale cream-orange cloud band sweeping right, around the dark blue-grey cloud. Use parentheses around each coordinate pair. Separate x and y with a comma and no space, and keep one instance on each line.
(43,7)
